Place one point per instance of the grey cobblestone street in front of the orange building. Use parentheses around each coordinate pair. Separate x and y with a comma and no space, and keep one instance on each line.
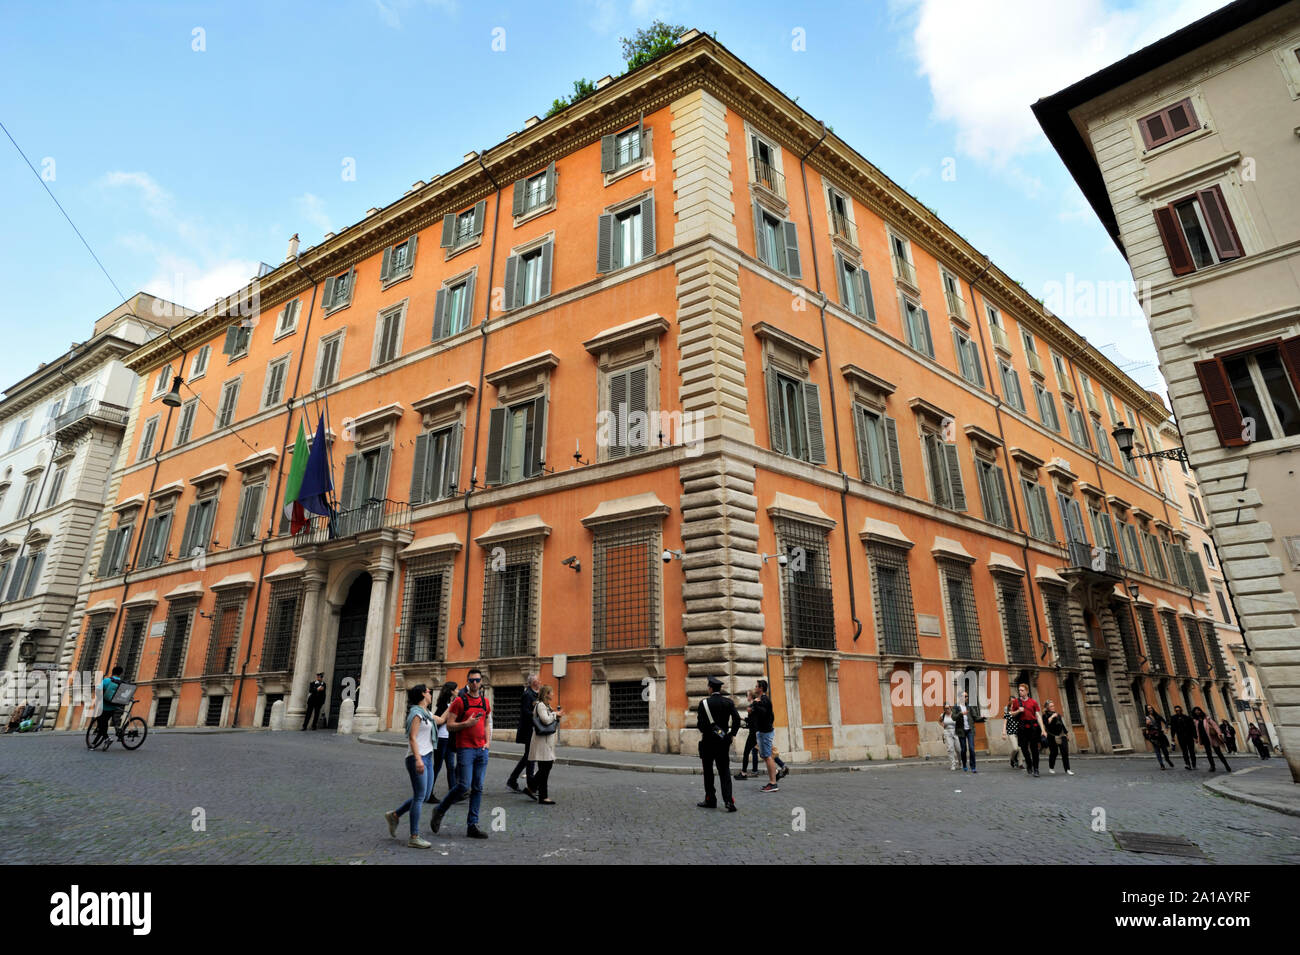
(319,798)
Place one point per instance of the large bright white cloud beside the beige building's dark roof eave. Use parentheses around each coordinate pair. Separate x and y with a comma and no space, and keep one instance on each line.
(989,60)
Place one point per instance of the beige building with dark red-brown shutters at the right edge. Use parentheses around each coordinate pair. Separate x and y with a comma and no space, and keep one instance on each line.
(1190,154)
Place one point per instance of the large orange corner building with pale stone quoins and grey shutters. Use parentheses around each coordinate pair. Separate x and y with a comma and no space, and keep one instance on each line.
(673,384)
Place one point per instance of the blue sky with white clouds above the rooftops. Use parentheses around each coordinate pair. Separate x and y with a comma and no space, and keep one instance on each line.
(190,141)
